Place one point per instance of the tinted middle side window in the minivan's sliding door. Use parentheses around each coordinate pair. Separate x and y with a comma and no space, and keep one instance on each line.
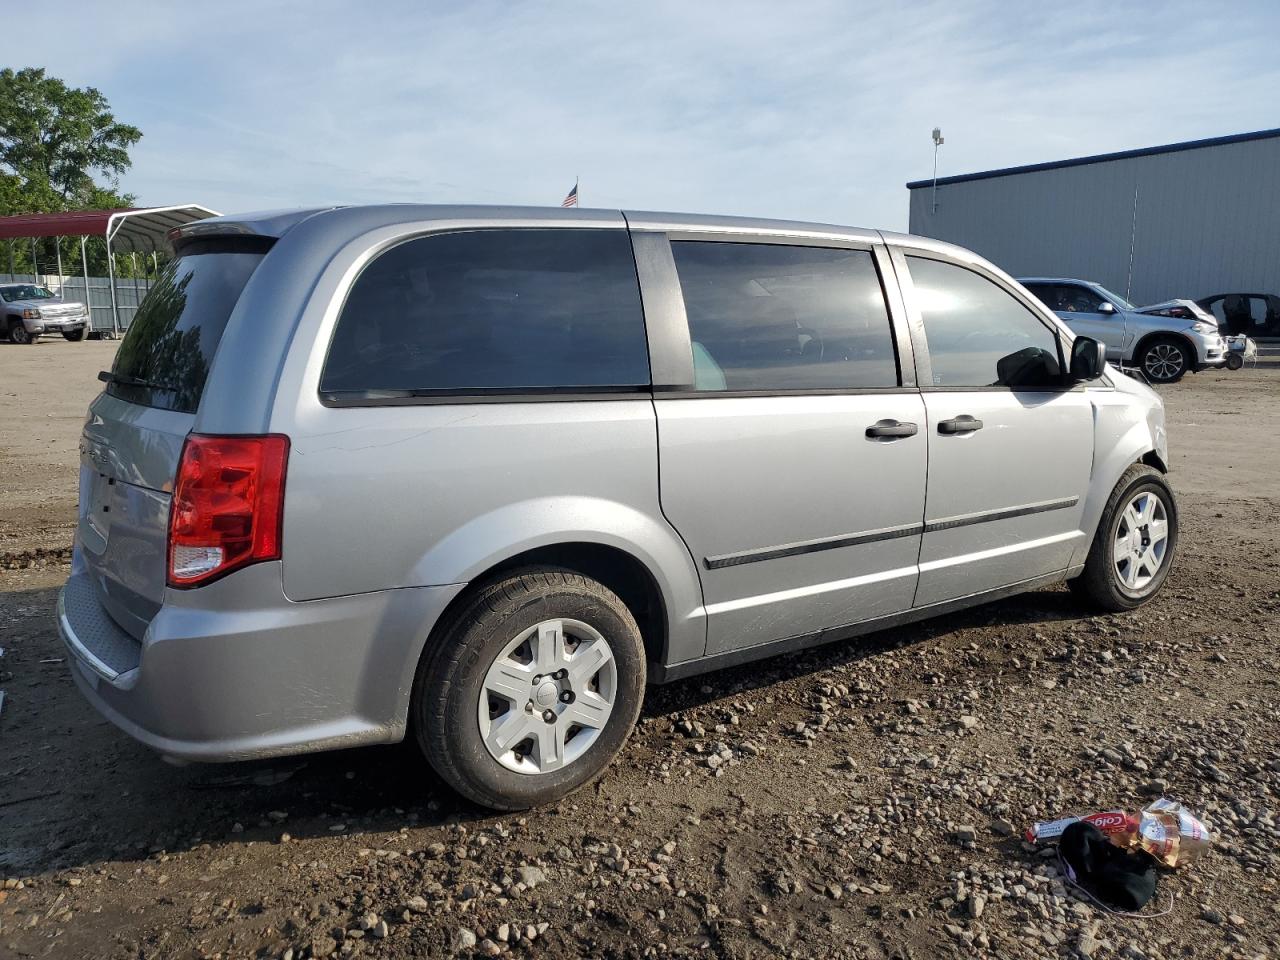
(767,317)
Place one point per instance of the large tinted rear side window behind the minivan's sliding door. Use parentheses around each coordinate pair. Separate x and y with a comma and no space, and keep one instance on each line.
(501,310)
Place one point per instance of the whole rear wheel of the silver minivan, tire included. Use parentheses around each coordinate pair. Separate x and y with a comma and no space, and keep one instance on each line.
(532,689)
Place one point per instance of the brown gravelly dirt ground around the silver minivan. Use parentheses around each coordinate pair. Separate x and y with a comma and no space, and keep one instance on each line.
(862,801)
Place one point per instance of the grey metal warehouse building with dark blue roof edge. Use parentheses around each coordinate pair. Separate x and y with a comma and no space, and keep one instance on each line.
(1188,220)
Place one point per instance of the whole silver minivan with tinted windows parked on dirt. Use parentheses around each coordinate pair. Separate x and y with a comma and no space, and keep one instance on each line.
(372,473)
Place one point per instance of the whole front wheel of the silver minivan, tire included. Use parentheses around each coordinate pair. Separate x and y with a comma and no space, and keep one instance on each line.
(1133,550)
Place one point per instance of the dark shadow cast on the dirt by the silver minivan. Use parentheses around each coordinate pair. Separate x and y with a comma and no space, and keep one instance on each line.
(77,792)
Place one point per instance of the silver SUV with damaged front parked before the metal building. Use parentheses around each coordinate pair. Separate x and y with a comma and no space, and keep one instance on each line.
(1164,348)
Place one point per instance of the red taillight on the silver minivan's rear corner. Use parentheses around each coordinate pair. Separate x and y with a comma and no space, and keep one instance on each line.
(227,508)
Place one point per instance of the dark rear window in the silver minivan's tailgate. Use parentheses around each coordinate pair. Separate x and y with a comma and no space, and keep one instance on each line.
(175,335)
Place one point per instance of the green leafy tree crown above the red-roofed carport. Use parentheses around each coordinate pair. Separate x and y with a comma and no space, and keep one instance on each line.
(54,138)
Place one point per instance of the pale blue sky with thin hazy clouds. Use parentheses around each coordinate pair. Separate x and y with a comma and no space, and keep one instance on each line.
(811,109)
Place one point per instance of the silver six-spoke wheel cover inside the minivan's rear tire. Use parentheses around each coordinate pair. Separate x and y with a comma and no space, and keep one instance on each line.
(548,696)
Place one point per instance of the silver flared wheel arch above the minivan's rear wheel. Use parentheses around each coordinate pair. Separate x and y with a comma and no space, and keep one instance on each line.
(495,538)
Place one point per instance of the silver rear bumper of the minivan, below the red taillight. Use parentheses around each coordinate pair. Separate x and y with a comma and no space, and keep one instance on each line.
(236,671)
